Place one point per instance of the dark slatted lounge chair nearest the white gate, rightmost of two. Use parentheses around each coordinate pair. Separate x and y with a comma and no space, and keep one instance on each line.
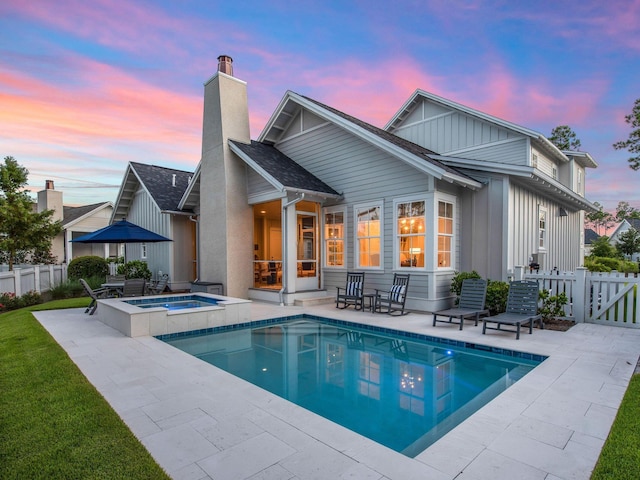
(522,308)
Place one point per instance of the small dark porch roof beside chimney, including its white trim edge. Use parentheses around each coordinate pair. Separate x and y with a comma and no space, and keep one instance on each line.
(280,170)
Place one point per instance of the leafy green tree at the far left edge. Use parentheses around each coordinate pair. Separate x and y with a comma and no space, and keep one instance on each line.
(23,232)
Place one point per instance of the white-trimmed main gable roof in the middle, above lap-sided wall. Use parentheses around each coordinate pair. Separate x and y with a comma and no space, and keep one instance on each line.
(411,153)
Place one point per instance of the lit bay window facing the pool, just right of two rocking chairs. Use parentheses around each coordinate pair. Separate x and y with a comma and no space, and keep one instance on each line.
(411,223)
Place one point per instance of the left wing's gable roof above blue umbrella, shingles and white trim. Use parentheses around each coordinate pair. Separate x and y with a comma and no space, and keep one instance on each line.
(165,186)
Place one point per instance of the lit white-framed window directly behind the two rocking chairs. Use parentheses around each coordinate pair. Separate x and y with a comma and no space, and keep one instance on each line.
(368,241)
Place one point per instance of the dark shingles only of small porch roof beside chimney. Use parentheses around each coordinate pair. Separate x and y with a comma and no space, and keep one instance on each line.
(282,168)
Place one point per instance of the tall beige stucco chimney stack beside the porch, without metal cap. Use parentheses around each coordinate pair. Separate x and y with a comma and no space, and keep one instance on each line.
(226,219)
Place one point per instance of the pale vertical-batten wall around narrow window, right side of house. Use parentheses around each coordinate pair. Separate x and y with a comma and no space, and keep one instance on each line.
(564,248)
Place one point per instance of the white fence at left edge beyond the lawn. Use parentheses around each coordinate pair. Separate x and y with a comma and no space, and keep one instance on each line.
(39,278)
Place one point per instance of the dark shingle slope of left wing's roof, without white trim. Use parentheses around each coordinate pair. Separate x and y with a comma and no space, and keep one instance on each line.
(159,183)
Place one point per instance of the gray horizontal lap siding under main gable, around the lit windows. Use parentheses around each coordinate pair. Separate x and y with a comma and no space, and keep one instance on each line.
(366,175)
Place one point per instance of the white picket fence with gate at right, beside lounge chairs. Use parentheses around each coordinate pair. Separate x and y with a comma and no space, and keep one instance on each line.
(608,298)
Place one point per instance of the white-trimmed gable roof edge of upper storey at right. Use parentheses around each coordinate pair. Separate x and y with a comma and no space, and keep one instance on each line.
(540,140)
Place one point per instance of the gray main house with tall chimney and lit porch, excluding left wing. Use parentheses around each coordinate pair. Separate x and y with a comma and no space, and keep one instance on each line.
(442,188)
